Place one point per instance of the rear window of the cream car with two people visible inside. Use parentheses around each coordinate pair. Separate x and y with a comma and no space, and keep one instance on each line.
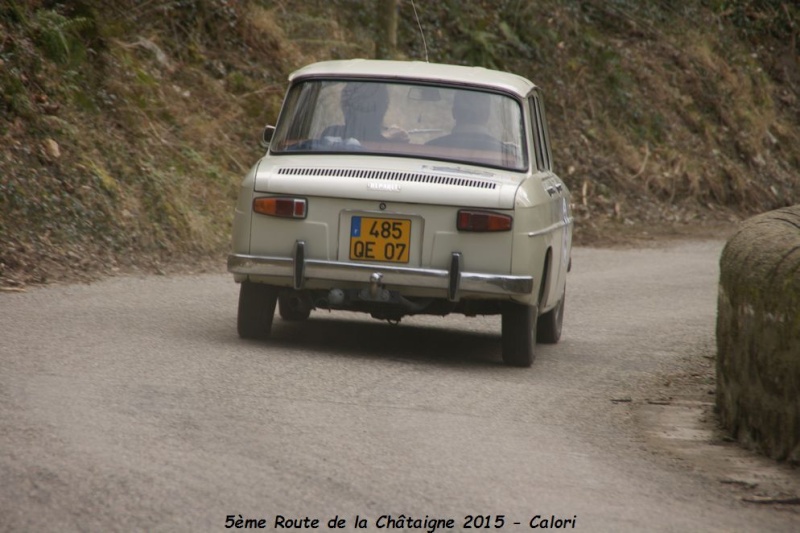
(423,121)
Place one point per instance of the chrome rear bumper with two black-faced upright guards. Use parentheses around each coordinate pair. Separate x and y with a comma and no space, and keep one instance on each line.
(451,282)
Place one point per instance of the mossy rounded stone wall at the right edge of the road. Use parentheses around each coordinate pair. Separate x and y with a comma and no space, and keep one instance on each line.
(758,334)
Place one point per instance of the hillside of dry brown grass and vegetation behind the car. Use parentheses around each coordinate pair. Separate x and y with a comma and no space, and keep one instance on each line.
(126,126)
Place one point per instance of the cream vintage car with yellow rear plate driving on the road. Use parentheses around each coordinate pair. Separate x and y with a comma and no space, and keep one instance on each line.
(402,188)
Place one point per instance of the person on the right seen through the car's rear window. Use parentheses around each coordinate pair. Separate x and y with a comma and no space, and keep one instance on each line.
(471,111)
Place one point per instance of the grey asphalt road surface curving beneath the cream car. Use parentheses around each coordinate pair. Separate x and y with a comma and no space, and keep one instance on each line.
(132,405)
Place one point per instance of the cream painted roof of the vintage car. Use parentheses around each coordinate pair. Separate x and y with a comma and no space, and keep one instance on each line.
(417,70)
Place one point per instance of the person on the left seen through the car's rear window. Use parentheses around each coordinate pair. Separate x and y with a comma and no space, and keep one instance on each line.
(364,106)
